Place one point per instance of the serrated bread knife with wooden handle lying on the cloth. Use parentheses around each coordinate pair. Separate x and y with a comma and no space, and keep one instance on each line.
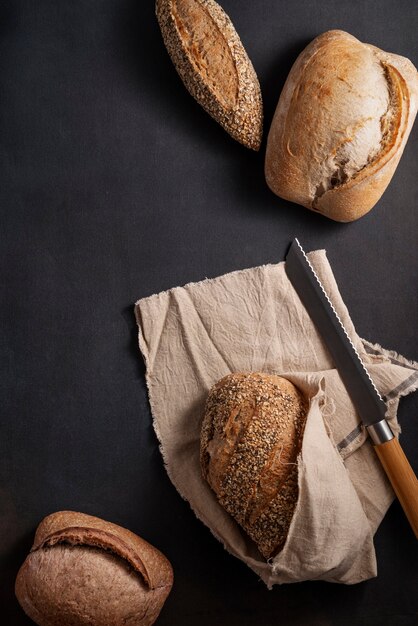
(367,400)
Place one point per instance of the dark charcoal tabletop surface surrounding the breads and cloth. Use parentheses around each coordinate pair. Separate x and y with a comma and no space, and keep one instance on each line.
(115,184)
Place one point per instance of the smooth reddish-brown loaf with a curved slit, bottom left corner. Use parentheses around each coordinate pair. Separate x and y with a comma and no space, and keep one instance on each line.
(83,571)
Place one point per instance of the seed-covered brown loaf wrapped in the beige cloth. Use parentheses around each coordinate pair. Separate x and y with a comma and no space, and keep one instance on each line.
(250,439)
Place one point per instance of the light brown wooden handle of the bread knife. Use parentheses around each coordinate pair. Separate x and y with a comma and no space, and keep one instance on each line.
(402,477)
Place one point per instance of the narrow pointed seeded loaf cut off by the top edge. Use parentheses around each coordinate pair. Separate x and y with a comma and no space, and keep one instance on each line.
(210,59)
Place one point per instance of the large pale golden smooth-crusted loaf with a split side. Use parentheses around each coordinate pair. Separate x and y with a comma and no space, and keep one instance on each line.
(340,126)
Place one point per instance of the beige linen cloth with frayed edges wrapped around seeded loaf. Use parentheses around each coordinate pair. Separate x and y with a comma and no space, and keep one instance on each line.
(253,320)
